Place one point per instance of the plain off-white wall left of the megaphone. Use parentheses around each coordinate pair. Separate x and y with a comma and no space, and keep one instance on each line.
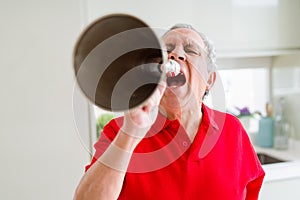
(40,152)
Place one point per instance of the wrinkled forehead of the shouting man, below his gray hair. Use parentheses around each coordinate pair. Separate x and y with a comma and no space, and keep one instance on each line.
(184,35)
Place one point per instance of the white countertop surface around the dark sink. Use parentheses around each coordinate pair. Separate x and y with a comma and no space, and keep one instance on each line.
(283,170)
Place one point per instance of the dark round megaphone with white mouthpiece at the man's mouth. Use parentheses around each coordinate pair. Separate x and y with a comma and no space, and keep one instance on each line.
(117,62)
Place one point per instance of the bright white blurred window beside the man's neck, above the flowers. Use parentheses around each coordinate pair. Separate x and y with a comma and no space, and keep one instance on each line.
(246,88)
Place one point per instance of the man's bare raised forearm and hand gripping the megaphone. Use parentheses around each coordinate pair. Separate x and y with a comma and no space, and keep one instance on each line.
(104,179)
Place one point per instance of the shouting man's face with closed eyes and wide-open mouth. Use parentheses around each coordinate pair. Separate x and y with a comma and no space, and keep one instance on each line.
(187,48)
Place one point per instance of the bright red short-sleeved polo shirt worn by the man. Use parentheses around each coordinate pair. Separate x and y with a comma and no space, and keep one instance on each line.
(219,164)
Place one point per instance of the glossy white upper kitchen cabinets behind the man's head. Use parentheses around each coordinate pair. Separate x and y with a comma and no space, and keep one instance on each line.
(234,25)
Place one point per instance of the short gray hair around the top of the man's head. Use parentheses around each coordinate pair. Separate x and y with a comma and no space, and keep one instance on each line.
(211,53)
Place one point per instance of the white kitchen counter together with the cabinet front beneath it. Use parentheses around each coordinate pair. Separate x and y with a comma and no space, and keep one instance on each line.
(282,179)
